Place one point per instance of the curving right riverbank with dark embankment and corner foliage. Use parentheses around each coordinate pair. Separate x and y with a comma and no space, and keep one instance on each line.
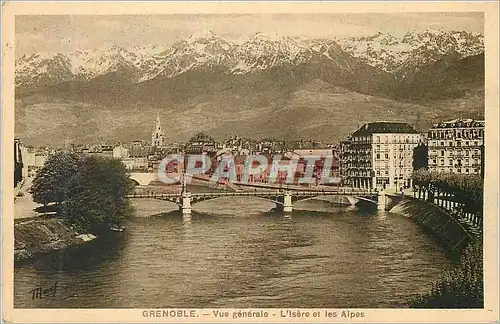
(461,286)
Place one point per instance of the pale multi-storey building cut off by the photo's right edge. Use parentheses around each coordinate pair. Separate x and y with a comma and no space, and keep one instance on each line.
(456,146)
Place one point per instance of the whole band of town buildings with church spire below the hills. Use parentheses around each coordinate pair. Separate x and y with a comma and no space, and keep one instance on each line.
(377,155)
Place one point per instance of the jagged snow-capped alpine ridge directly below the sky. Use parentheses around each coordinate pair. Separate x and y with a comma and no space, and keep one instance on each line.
(205,49)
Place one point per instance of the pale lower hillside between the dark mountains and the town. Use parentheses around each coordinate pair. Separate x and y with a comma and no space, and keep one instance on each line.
(314,110)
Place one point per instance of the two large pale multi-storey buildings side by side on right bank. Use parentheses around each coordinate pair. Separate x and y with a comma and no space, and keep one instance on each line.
(385,154)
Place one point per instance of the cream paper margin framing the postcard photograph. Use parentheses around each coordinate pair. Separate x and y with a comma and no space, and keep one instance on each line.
(490,10)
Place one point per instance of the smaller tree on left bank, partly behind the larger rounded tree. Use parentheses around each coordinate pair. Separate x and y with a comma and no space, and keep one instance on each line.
(51,181)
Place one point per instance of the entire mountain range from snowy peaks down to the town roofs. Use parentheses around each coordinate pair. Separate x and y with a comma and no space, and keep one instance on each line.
(263,86)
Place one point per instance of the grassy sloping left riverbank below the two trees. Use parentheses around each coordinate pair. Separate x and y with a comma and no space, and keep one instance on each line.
(44,235)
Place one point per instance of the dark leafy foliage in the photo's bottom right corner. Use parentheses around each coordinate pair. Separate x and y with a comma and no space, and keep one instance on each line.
(460,287)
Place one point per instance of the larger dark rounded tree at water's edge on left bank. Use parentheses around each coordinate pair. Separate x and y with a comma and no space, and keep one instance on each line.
(96,195)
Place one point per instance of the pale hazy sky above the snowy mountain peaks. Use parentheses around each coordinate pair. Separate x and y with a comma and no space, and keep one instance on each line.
(66,33)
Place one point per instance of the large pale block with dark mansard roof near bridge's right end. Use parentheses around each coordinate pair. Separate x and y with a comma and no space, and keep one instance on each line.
(379,155)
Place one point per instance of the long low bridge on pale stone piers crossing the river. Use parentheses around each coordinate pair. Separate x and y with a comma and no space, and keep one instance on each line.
(283,199)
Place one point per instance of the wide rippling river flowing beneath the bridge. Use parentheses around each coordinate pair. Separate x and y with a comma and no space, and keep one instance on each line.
(233,252)
